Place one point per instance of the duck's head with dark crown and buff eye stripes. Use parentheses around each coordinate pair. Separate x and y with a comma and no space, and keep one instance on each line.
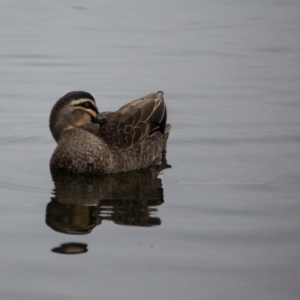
(73,110)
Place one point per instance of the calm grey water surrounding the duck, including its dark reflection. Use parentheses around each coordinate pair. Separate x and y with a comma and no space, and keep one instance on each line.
(223,222)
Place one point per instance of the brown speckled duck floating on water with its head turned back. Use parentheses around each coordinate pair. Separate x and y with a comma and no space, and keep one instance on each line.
(94,143)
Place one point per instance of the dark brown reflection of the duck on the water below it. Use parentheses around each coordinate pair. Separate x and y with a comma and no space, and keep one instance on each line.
(82,202)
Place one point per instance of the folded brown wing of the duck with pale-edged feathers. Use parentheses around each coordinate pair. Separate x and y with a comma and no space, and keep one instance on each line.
(134,121)
